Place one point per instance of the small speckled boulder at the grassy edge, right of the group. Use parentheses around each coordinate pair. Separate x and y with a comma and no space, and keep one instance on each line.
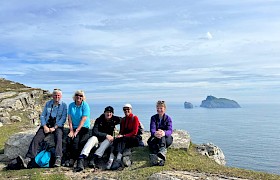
(213,152)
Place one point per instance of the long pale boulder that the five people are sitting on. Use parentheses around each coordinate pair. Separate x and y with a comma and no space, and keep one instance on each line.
(18,143)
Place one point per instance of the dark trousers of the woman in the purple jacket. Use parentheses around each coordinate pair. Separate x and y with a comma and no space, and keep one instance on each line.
(155,143)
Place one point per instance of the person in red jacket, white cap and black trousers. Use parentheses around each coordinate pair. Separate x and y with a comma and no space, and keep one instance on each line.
(126,139)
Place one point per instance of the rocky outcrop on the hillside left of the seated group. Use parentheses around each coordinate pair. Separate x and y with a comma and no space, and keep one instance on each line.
(18,102)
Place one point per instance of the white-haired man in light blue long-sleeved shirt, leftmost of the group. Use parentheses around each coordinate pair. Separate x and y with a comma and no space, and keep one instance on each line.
(52,120)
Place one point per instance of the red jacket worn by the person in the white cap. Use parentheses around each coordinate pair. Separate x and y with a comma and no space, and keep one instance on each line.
(129,126)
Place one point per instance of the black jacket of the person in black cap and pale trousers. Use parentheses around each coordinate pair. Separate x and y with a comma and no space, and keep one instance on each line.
(102,127)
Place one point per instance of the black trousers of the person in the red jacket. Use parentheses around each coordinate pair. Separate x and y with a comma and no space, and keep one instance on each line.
(119,144)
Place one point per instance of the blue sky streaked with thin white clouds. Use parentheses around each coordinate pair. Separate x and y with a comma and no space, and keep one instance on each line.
(143,50)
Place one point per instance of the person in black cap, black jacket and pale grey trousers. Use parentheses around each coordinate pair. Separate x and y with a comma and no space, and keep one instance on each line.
(102,135)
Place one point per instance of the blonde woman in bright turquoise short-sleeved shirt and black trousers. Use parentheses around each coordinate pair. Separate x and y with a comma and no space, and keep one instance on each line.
(79,123)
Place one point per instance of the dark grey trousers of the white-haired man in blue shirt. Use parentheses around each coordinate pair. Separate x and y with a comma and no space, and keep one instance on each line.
(39,137)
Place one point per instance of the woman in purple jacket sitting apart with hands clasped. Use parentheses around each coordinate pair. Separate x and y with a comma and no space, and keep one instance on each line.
(161,139)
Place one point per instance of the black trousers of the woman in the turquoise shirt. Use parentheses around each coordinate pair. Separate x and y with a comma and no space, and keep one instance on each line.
(75,146)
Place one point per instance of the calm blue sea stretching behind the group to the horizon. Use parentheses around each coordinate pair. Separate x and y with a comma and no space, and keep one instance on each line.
(248,136)
